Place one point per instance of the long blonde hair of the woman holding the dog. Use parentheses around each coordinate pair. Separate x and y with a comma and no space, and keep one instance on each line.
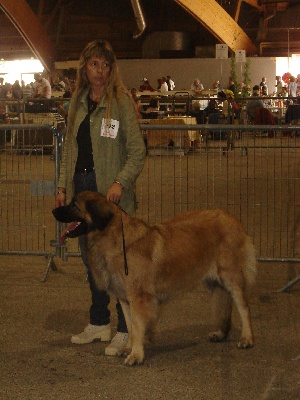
(115,87)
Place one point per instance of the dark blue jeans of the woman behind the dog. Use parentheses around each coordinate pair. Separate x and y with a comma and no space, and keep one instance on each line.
(99,312)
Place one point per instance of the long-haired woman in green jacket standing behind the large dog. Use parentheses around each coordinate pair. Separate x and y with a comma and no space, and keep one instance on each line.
(104,151)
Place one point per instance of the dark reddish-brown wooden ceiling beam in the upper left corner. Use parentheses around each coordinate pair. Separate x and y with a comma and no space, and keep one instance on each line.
(34,34)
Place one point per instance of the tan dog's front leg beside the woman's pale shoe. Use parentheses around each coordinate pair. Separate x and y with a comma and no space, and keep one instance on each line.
(144,314)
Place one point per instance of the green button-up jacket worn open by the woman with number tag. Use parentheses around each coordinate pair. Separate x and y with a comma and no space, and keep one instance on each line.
(120,158)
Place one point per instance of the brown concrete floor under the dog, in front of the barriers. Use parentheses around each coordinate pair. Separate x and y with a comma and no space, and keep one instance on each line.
(38,361)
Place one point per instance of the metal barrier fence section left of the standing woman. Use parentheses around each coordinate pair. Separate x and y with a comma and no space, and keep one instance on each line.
(27,186)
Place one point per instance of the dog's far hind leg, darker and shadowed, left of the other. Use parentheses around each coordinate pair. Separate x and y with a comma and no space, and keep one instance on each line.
(222,309)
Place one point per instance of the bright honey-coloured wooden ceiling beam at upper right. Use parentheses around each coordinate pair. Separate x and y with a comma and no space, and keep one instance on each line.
(219,23)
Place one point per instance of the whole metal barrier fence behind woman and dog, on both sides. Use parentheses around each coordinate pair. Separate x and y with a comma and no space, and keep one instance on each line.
(251,171)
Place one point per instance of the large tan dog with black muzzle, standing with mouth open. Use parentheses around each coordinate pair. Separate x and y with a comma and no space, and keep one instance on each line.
(144,265)
